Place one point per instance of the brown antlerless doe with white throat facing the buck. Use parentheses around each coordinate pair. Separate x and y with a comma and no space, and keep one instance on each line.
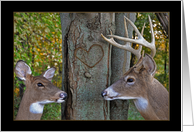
(39,91)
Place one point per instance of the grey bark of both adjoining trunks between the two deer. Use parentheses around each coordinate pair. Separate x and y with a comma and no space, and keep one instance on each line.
(88,64)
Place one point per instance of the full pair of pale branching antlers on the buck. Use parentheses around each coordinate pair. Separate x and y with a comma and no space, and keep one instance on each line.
(141,41)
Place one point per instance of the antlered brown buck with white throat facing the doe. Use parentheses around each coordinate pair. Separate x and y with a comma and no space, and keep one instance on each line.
(150,97)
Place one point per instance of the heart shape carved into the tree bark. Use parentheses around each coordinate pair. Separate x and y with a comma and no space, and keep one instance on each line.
(91,57)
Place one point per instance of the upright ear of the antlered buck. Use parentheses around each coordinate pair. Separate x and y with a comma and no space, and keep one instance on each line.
(149,64)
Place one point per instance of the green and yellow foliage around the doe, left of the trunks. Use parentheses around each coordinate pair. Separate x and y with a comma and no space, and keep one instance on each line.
(38,41)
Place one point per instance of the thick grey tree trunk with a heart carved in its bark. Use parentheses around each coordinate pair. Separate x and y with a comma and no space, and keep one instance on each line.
(86,64)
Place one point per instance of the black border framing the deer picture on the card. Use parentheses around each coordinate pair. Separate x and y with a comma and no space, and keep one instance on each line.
(7,9)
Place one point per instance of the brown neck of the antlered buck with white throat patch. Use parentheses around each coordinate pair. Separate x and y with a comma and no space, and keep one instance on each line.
(154,104)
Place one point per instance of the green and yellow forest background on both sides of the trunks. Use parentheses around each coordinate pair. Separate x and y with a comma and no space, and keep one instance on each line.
(38,41)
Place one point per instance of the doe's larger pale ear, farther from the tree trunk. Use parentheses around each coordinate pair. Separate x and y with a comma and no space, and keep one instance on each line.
(22,69)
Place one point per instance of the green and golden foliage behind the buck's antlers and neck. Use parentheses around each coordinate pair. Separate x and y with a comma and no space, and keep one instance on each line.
(162,46)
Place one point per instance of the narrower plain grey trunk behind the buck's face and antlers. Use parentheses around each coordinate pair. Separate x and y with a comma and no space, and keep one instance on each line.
(120,63)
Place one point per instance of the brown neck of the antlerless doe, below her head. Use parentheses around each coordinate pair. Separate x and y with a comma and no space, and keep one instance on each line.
(24,109)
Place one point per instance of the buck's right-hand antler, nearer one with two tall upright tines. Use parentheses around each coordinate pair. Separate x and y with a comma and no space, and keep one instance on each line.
(140,39)
